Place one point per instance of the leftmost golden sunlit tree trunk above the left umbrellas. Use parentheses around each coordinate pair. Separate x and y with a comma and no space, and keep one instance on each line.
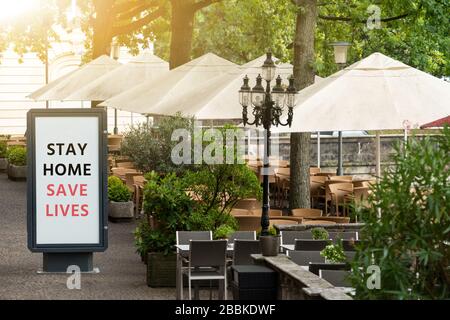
(103,24)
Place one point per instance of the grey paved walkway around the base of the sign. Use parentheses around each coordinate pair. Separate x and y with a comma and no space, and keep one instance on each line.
(122,273)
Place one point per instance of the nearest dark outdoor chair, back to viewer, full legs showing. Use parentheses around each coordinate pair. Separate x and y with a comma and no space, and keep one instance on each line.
(207,261)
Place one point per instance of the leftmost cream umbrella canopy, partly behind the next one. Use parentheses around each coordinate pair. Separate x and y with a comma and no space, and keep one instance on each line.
(62,88)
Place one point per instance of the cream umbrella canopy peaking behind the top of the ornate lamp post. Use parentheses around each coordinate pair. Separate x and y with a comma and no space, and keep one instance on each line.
(217,99)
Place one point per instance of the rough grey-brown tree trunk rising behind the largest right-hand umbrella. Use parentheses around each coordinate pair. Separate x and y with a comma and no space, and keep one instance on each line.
(304,76)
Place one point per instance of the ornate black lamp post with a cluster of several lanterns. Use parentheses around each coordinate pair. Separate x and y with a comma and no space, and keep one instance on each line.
(268,108)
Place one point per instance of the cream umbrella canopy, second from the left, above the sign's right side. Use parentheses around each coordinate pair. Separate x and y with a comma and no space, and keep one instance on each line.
(142,68)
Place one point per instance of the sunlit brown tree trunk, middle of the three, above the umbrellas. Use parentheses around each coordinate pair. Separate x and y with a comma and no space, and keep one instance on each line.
(183,16)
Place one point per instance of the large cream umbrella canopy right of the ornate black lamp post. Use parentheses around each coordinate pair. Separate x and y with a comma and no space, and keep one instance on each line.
(376,93)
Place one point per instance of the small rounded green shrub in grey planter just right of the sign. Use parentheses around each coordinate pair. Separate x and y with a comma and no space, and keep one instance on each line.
(120,204)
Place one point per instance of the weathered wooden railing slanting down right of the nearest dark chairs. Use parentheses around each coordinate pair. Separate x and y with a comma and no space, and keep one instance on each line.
(296,283)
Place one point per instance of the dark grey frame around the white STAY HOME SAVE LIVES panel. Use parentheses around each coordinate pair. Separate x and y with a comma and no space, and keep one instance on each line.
(101,115)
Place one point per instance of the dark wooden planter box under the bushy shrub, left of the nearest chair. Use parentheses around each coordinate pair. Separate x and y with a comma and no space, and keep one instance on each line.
(161,270)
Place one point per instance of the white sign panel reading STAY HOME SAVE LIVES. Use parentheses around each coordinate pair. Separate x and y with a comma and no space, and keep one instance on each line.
(67,179)
